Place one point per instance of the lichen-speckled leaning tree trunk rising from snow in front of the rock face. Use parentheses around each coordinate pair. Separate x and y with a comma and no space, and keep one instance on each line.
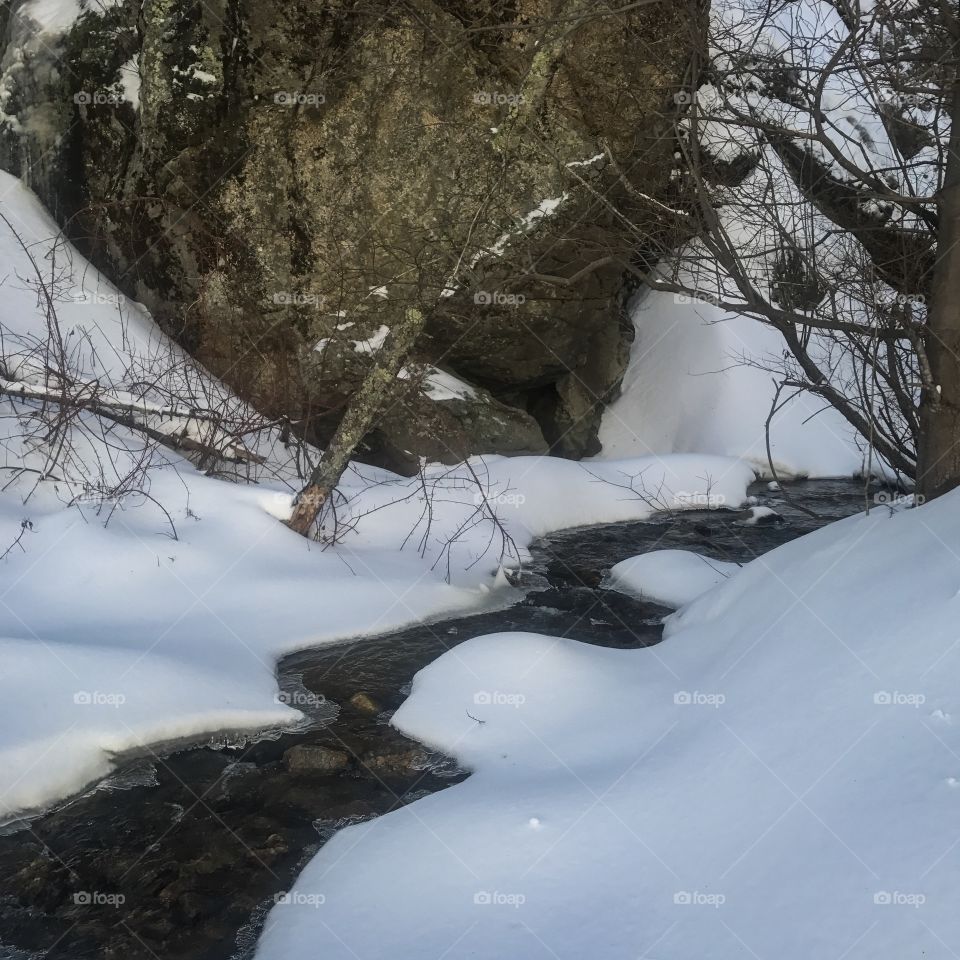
(362,414)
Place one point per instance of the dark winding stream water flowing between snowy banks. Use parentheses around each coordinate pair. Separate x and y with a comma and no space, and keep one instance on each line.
(179,855)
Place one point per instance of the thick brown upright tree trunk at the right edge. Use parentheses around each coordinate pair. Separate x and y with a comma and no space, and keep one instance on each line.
(938,460)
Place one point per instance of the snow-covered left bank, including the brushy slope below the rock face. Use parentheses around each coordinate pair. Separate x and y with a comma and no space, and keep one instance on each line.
(159,612)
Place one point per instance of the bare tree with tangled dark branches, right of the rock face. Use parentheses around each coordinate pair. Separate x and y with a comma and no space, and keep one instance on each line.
(813,149)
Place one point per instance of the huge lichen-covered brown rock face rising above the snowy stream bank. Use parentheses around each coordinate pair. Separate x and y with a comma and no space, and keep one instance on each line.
(277,182)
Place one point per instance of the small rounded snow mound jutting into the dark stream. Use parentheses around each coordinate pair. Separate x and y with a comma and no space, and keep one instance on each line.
(673,578)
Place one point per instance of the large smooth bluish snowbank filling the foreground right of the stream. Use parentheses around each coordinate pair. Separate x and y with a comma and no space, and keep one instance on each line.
(776,779)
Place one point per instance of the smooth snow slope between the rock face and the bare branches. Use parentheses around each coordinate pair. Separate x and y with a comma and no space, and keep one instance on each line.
(690,386)
